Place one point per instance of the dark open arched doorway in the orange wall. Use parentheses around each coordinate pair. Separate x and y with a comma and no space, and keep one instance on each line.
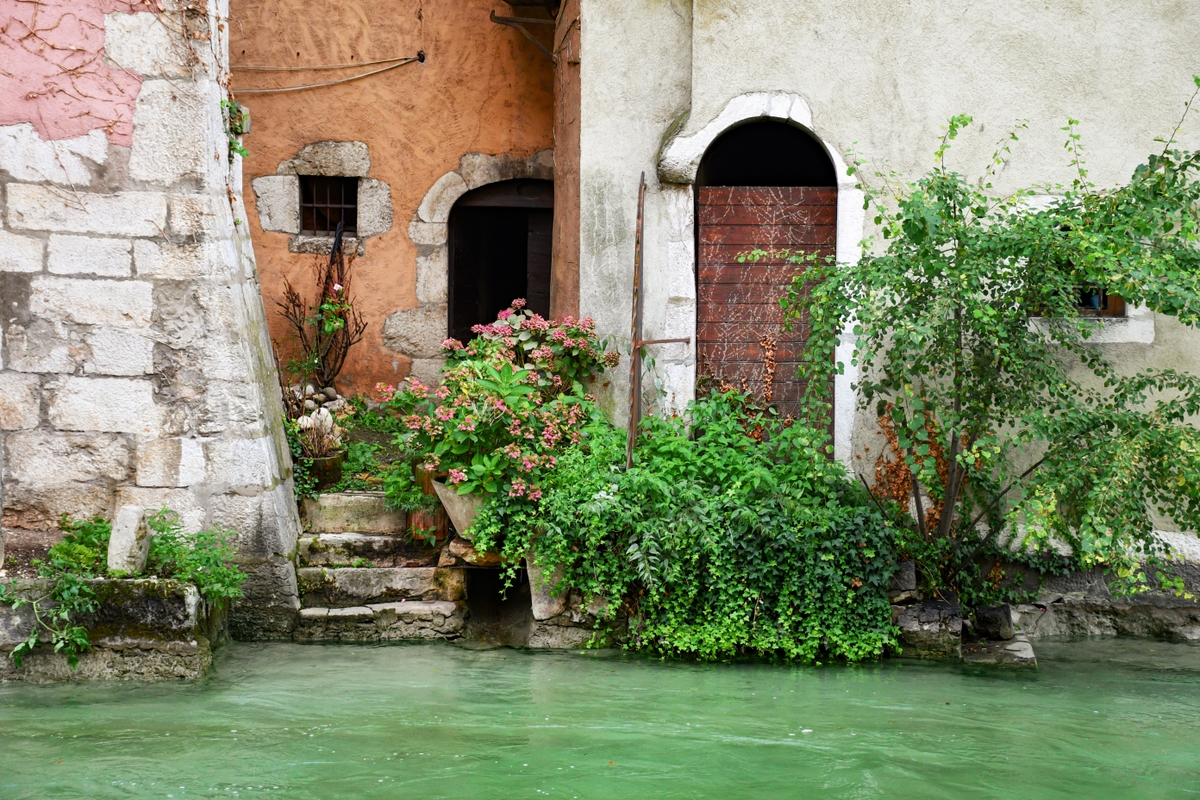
(500,250)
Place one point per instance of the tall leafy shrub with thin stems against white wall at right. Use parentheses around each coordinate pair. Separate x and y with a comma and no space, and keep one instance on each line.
(1010,425)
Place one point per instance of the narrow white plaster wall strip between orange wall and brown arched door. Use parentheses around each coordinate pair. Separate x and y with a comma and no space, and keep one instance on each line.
(635,76)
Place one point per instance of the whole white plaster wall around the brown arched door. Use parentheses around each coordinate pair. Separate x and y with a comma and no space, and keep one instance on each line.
(881,80)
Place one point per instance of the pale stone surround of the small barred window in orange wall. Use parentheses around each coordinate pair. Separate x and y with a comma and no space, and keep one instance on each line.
(278,197)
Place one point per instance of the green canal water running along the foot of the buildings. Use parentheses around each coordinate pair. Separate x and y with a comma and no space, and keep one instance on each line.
(1101,719)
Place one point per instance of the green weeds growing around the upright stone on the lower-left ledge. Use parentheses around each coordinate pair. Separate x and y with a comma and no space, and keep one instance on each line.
(205,560)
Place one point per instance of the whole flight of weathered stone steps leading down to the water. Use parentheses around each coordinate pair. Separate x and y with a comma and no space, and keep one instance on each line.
(363,580)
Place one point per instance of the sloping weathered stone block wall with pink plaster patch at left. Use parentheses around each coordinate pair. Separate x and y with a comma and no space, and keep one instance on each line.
(135,364)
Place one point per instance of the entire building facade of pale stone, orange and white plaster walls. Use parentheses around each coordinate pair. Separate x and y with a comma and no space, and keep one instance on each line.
(139,291)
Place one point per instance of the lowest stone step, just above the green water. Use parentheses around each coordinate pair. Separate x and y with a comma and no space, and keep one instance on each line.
(393,622)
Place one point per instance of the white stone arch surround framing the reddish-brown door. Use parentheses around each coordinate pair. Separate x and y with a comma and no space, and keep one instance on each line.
(677,167)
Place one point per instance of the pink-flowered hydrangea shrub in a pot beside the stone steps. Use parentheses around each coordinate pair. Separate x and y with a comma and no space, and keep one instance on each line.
(509,401)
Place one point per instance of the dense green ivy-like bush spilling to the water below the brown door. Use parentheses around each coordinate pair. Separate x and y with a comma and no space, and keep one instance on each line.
(734,534)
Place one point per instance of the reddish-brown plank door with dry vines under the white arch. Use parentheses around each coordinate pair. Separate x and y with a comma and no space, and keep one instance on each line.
(739,316)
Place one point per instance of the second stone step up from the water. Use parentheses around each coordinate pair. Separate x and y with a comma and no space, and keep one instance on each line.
(350,587)
